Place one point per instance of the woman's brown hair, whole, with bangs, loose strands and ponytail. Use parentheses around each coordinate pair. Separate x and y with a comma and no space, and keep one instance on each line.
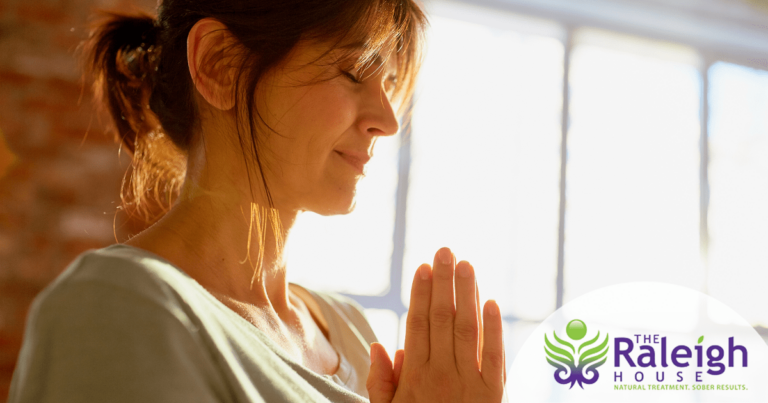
(139,65)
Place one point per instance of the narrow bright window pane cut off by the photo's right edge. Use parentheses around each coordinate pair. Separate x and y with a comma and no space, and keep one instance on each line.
(738,175)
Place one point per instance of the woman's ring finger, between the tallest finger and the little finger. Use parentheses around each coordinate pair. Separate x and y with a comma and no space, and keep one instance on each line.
(465,330)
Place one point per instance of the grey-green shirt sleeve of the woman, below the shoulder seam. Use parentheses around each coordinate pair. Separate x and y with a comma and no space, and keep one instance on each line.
(88,341)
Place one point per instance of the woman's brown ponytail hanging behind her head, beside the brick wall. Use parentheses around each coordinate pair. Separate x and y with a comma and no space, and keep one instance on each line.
(122,54)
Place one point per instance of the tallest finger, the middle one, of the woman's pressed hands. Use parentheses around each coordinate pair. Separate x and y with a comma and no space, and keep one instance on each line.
(442,311)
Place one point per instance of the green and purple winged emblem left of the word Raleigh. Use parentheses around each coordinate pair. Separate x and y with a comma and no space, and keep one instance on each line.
(576,363)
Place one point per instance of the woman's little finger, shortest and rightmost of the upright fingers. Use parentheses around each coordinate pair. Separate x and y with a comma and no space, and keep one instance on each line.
(493,347)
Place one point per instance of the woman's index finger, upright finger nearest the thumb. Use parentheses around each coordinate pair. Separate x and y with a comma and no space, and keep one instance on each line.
(417,322)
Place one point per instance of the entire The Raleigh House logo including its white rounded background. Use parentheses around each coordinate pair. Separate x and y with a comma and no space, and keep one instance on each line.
(638,342)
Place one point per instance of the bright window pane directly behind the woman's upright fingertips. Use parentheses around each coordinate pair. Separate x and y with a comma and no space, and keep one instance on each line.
(485,162)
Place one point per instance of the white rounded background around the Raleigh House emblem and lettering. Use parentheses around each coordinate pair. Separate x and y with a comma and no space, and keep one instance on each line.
(680,314)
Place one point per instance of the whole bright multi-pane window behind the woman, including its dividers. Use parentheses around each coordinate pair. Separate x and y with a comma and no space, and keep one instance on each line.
(558,158)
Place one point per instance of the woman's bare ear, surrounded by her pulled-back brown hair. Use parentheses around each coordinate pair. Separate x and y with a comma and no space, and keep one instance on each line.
(211,62)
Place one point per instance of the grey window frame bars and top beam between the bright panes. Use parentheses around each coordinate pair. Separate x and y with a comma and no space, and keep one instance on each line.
(741,40)
